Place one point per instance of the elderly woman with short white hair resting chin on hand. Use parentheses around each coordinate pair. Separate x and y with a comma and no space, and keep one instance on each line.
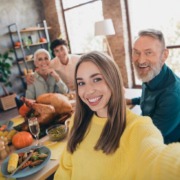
(46,80)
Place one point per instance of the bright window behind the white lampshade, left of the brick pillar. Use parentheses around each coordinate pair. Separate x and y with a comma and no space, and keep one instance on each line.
(80,17)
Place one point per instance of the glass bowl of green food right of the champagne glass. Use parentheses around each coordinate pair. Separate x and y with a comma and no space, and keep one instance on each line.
(57,132)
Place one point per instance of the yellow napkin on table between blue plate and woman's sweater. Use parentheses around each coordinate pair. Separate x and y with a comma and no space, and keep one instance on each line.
(56,148)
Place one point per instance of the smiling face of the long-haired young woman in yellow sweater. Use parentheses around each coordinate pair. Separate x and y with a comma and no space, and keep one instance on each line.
(92,88)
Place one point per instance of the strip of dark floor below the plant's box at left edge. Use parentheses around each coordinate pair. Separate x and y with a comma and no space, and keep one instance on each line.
(8,114)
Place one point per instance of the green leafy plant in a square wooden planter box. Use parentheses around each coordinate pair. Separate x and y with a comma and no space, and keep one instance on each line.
(7,101)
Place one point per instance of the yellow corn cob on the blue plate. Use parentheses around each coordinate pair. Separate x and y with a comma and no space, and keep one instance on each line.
(13,162)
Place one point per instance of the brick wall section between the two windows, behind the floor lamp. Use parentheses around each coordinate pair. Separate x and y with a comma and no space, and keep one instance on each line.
(113,10)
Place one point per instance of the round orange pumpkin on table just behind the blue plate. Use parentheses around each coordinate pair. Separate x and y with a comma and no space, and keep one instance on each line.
(22,139)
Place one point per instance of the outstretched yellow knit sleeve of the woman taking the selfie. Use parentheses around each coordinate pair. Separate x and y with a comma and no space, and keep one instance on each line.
(154,159)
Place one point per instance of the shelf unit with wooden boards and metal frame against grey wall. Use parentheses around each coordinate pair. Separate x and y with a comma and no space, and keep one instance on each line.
(29,39)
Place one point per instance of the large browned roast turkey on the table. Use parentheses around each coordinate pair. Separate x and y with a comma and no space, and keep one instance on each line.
(50,105)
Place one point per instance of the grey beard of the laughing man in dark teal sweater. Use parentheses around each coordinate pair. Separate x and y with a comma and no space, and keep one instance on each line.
(153,72)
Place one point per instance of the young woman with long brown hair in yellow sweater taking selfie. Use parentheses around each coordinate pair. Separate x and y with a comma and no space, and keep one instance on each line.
(107,141)
